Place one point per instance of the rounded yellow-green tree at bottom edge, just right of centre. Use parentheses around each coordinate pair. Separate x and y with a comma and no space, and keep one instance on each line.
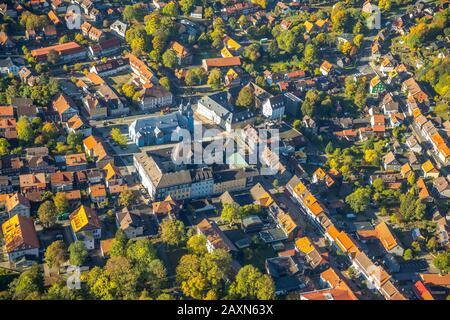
(250,283)
